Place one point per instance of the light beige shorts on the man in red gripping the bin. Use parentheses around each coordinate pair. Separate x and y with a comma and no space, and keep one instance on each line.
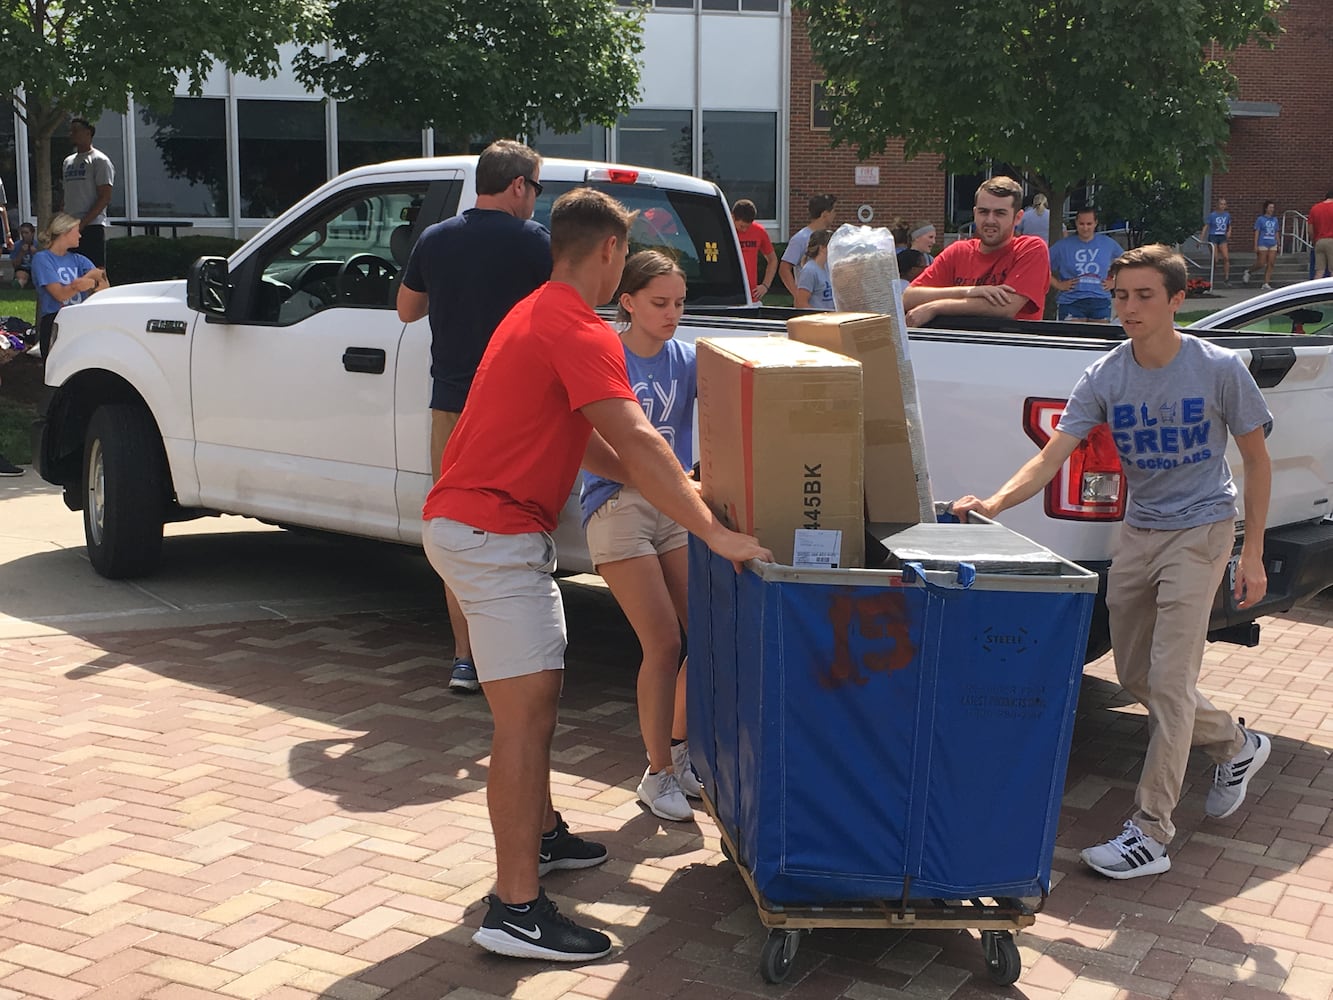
(506,589)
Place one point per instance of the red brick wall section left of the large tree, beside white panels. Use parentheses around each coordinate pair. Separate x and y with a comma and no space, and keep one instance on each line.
(911,190)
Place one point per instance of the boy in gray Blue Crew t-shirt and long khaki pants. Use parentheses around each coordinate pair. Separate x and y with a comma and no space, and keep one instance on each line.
(1171,402)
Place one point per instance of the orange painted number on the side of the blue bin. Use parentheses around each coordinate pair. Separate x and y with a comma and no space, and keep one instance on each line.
(882,625)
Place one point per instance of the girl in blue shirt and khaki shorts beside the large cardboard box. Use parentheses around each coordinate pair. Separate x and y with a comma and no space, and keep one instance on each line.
(639,551)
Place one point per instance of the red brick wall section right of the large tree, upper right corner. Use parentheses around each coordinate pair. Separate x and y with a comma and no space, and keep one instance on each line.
(1288,158)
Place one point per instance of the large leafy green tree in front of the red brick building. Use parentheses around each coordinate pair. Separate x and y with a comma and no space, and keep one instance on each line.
(1064,91)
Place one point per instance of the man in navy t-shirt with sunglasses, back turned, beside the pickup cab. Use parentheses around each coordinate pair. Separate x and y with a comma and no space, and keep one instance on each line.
(467,273)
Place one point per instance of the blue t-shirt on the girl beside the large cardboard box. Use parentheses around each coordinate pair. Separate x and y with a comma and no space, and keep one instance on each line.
(666,386)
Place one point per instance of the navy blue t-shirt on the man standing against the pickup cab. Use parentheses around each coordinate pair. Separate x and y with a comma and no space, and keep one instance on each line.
(475,269)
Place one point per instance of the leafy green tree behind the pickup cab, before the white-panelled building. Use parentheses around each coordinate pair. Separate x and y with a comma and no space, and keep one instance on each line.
(481,67)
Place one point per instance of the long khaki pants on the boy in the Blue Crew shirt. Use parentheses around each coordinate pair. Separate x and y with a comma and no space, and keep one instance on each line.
(1160,595)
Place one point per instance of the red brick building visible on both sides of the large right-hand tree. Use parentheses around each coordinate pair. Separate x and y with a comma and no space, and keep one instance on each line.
(1282,135)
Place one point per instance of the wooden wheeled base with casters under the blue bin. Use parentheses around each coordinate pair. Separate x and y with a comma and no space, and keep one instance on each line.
(996,922)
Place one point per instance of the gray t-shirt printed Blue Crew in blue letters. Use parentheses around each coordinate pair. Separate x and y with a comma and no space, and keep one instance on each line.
(1171,426)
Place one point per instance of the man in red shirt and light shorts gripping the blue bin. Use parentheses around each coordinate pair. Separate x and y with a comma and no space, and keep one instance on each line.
(551,395)
